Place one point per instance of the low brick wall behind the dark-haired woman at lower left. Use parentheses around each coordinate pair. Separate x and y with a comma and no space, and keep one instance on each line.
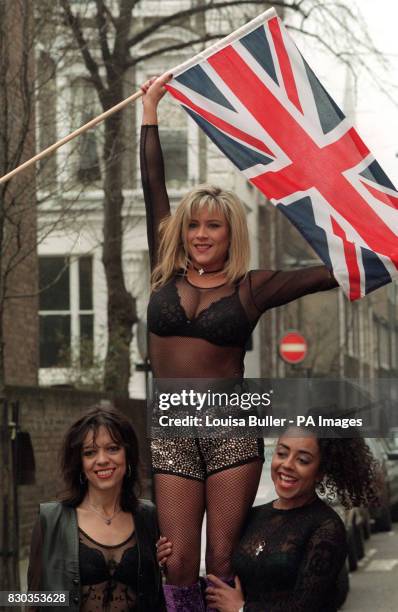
(46,413)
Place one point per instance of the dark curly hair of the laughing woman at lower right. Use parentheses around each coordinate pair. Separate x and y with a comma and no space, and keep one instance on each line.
(349,471)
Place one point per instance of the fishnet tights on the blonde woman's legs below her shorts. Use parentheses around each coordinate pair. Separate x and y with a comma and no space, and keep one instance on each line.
(227,496)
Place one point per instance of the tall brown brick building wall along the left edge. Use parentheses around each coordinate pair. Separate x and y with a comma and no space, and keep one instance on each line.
(18,248)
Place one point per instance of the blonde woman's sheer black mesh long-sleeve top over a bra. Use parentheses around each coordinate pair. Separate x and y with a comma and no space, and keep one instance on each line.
(200,332)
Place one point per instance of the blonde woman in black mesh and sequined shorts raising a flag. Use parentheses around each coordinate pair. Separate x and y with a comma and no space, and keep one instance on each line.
(204,305)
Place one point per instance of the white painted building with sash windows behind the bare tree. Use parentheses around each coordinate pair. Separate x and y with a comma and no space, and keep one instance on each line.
(73,308)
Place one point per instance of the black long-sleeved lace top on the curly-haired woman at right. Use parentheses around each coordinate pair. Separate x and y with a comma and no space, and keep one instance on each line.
(289,560)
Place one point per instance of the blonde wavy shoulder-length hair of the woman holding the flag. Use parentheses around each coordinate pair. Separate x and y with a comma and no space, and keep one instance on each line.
(173,248)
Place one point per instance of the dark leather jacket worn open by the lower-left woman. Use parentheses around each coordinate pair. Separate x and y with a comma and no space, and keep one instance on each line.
(54,557)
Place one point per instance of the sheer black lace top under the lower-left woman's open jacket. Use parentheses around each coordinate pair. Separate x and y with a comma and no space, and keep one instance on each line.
(108,575)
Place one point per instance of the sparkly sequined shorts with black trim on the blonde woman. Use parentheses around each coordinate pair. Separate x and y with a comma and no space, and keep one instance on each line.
(198,458)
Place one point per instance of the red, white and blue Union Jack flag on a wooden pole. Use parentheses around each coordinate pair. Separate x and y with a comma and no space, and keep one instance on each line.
(258,100)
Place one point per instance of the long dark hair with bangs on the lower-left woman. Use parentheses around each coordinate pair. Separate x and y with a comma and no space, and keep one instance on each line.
(121,432)
